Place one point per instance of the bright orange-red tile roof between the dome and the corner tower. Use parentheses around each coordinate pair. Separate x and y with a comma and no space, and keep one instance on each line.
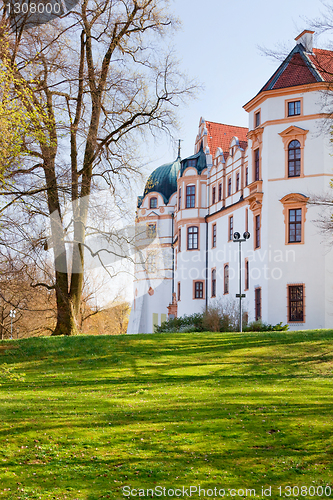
(220,135)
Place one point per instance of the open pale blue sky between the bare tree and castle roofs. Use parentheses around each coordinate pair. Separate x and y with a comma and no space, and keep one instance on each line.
(219,45)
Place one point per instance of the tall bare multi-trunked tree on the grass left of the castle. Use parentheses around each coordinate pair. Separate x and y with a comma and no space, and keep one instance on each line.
(93,81)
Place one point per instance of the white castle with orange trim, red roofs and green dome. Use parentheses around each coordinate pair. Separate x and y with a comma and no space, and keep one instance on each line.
(259,180)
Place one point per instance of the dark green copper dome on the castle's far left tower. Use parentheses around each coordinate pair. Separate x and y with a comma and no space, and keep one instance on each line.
(163,180)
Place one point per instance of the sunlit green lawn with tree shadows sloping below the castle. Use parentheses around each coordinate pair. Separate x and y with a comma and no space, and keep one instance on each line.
(219,410)
